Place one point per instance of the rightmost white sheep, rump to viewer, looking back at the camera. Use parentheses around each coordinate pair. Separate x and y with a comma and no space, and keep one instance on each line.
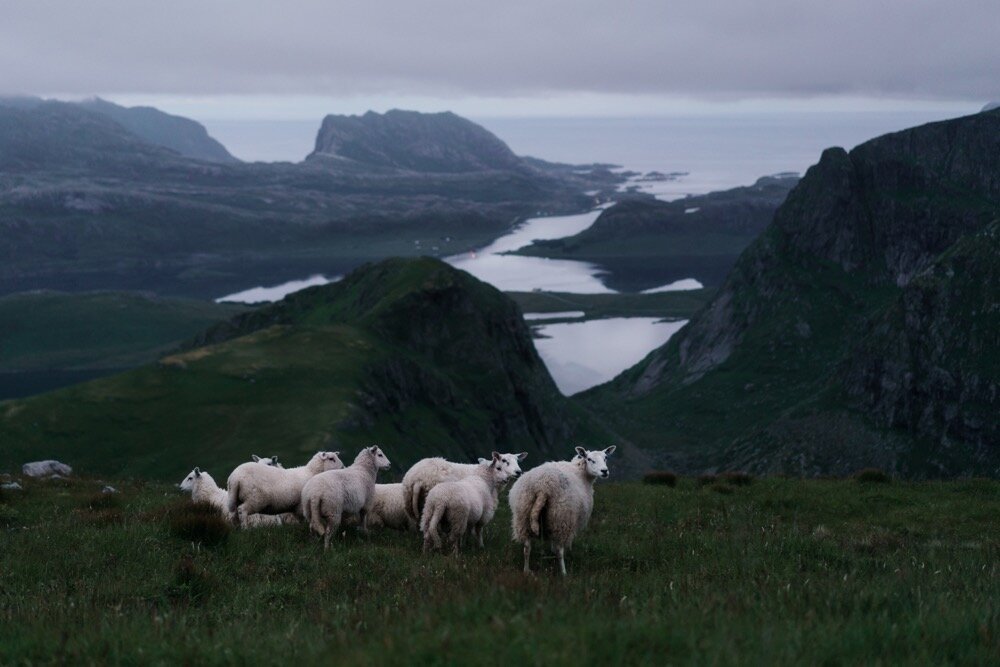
(555,500)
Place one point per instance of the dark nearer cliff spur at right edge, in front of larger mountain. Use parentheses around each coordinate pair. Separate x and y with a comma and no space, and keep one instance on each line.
(931,365)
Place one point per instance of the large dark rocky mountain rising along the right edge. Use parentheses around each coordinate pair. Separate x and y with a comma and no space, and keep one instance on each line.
(859,329)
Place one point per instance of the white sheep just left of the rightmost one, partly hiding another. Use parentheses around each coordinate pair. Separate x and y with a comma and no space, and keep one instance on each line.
(467,504)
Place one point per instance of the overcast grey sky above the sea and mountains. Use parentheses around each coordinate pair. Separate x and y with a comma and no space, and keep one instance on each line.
(546,54)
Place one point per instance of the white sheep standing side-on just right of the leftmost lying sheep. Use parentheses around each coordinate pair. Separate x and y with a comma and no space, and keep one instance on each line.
(255,488)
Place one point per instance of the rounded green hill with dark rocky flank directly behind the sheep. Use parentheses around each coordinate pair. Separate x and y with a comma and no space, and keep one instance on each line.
(411,354)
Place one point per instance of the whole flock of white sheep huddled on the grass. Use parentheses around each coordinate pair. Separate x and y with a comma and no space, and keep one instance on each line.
(445,501)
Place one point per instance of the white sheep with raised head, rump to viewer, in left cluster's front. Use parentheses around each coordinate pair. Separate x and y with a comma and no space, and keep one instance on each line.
(329,497)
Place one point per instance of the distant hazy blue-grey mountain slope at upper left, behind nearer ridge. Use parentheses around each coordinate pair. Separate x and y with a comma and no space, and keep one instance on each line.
(179,134)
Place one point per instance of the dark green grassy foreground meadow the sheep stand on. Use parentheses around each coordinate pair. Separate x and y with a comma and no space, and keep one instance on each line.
(783,571)
